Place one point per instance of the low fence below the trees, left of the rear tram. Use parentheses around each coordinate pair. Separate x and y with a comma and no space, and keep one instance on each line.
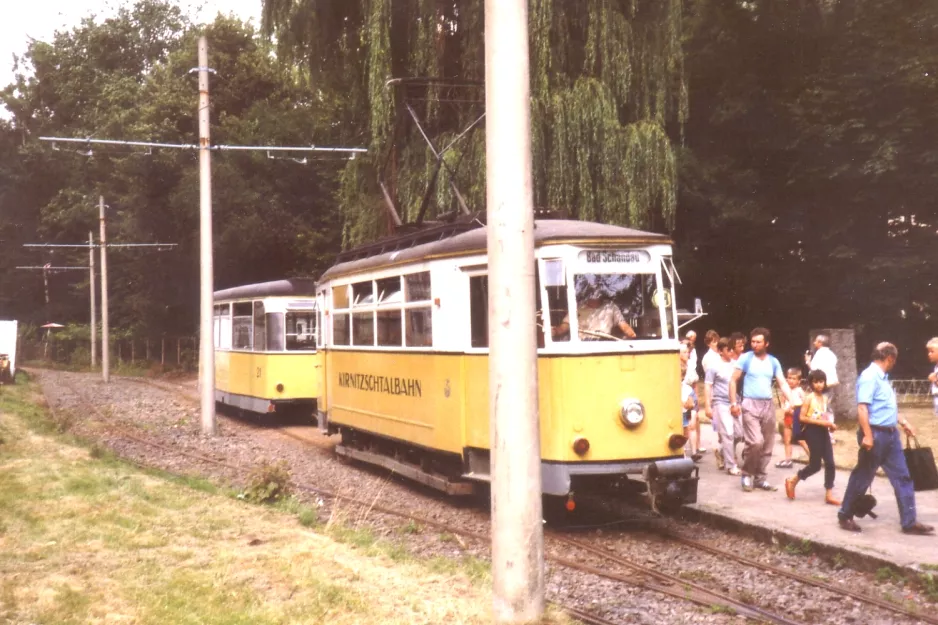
(168,352)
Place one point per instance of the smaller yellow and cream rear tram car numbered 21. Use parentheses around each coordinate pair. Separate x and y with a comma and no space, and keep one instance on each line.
(266,358)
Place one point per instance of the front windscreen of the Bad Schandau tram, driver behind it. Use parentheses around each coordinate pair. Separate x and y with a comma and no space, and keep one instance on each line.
(614,306)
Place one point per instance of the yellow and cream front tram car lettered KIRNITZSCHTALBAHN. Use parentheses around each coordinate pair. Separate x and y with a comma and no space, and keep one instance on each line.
(405,372)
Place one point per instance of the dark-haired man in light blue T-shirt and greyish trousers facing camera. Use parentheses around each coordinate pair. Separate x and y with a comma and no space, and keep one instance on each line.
(758,412)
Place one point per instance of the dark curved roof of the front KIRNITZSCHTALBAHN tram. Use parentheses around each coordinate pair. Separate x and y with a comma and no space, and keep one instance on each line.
(474,241)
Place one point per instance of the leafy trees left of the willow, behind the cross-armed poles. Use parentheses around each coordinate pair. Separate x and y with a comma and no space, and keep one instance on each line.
(129,77)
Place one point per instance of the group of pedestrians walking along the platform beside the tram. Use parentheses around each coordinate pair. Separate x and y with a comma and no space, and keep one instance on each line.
(739,399)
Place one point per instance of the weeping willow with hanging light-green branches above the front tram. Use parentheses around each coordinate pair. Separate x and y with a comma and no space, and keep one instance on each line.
(608,98)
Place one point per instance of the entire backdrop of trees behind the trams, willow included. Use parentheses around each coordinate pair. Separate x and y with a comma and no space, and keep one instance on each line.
(790,147)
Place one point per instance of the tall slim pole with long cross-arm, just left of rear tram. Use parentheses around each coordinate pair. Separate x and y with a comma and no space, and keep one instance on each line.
(206,337)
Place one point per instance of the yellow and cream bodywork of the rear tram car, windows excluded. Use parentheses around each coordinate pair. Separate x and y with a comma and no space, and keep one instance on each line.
(259,381)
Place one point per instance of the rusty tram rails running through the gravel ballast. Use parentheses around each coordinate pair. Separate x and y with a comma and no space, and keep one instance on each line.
(592,560)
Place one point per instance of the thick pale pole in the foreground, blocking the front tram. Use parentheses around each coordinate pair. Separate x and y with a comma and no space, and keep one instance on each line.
(517,533)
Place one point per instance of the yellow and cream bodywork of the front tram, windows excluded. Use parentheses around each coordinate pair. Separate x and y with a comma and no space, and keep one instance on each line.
(581,384)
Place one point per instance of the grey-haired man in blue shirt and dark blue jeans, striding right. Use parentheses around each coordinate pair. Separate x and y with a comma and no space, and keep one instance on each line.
(881,444)
